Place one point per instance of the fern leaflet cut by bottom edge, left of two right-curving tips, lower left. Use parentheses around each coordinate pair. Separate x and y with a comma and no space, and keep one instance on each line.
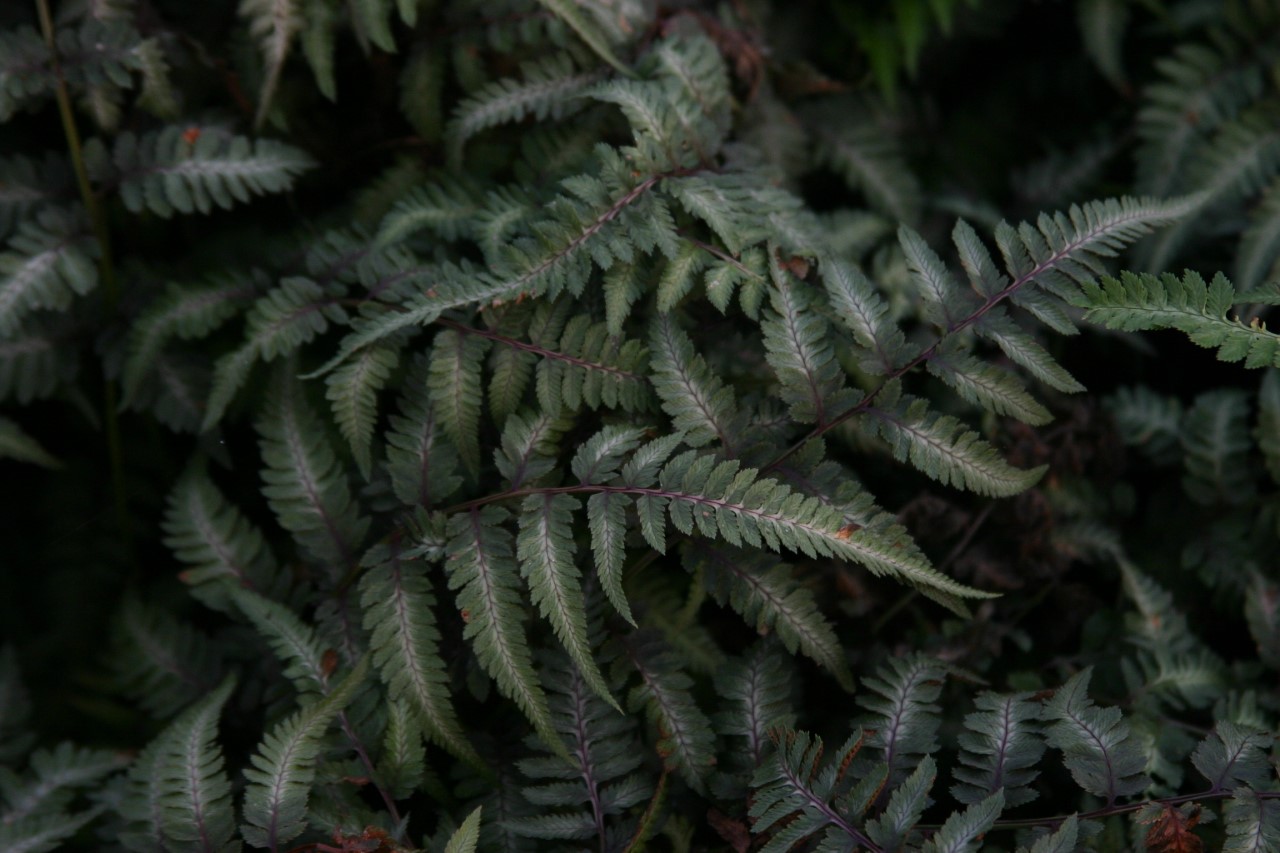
(180,793)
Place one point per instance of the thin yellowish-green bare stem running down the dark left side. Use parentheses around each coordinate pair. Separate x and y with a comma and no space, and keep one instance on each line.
(106,267)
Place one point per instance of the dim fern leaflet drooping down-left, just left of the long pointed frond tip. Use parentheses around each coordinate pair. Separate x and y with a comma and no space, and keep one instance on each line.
(278,323)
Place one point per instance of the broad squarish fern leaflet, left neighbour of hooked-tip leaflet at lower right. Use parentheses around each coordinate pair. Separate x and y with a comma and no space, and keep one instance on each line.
(999,750)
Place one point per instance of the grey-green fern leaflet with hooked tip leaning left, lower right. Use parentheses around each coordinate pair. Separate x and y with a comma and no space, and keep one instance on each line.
(1096,746)
